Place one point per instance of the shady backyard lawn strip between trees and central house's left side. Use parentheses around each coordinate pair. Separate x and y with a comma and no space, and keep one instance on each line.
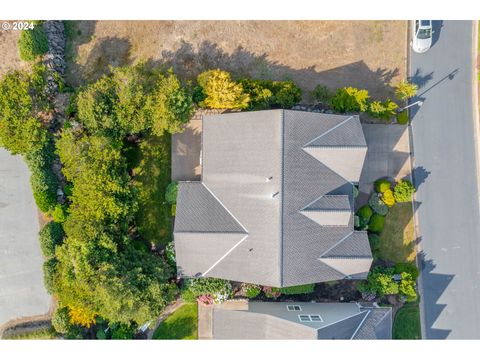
(151,169)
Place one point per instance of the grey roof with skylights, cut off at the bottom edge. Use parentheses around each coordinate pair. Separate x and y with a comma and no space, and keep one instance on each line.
(272,320)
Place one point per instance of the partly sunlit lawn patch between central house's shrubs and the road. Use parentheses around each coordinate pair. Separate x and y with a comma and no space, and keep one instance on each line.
(397,241)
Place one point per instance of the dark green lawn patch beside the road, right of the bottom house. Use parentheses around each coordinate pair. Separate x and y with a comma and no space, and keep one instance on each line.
(407,322)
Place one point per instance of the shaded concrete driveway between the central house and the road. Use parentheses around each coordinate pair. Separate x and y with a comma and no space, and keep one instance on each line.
(387,155)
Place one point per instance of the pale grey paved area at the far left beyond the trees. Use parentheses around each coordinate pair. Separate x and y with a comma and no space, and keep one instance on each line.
(22,292)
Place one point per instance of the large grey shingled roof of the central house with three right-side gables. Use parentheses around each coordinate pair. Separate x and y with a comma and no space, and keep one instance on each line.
(275,203)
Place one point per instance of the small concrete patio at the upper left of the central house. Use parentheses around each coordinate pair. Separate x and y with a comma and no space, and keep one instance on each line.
(186,148)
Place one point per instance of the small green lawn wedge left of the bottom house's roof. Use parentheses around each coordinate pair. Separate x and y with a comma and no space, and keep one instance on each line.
(181,325)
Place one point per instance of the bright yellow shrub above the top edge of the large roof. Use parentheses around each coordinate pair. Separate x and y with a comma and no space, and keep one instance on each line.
(221,92)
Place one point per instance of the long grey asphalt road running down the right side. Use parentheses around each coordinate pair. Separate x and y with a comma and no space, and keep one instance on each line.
(446,176)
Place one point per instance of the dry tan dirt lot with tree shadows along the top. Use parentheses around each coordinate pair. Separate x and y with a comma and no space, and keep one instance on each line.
(369,54)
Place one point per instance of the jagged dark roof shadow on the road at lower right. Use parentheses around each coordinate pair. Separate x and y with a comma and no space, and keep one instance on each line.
(437,284)
